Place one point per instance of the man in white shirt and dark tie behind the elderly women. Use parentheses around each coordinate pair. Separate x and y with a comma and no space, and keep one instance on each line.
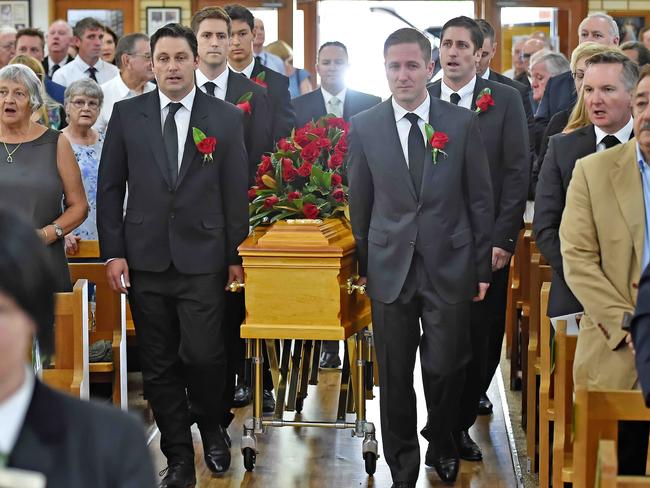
(88,37)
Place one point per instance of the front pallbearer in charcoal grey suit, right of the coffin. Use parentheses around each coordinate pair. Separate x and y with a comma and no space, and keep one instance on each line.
(422,219)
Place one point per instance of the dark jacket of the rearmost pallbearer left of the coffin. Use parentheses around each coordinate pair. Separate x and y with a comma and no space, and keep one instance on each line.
(281,107)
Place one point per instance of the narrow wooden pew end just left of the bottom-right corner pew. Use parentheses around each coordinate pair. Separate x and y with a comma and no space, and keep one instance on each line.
(565,348)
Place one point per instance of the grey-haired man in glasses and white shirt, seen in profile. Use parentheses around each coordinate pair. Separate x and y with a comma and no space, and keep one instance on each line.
(133,58)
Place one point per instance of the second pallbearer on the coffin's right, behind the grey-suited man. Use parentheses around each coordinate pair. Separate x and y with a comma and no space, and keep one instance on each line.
(502,121)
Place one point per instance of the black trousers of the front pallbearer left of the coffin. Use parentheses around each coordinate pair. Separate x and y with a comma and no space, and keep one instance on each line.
(178,320)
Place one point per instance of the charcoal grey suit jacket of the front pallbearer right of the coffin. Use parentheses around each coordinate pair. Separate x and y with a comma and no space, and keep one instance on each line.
(448,223)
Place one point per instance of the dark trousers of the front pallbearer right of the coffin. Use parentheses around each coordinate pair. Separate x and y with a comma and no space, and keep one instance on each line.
(444,351)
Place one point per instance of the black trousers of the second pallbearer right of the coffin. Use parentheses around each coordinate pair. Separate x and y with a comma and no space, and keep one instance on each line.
(487,326)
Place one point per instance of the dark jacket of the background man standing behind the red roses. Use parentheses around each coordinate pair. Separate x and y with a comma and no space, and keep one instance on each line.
(311,106)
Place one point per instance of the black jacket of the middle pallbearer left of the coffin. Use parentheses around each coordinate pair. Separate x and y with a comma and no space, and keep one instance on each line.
(257,124)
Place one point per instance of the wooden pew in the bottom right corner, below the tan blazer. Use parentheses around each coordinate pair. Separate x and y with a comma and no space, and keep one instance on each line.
(597,414)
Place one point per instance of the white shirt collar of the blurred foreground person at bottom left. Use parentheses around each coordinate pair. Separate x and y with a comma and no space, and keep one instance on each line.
(13,411)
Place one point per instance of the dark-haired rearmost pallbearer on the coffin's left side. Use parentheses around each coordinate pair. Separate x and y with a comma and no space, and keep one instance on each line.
(241,60)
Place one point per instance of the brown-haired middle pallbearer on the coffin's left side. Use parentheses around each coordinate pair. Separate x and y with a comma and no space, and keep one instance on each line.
(211,26)
